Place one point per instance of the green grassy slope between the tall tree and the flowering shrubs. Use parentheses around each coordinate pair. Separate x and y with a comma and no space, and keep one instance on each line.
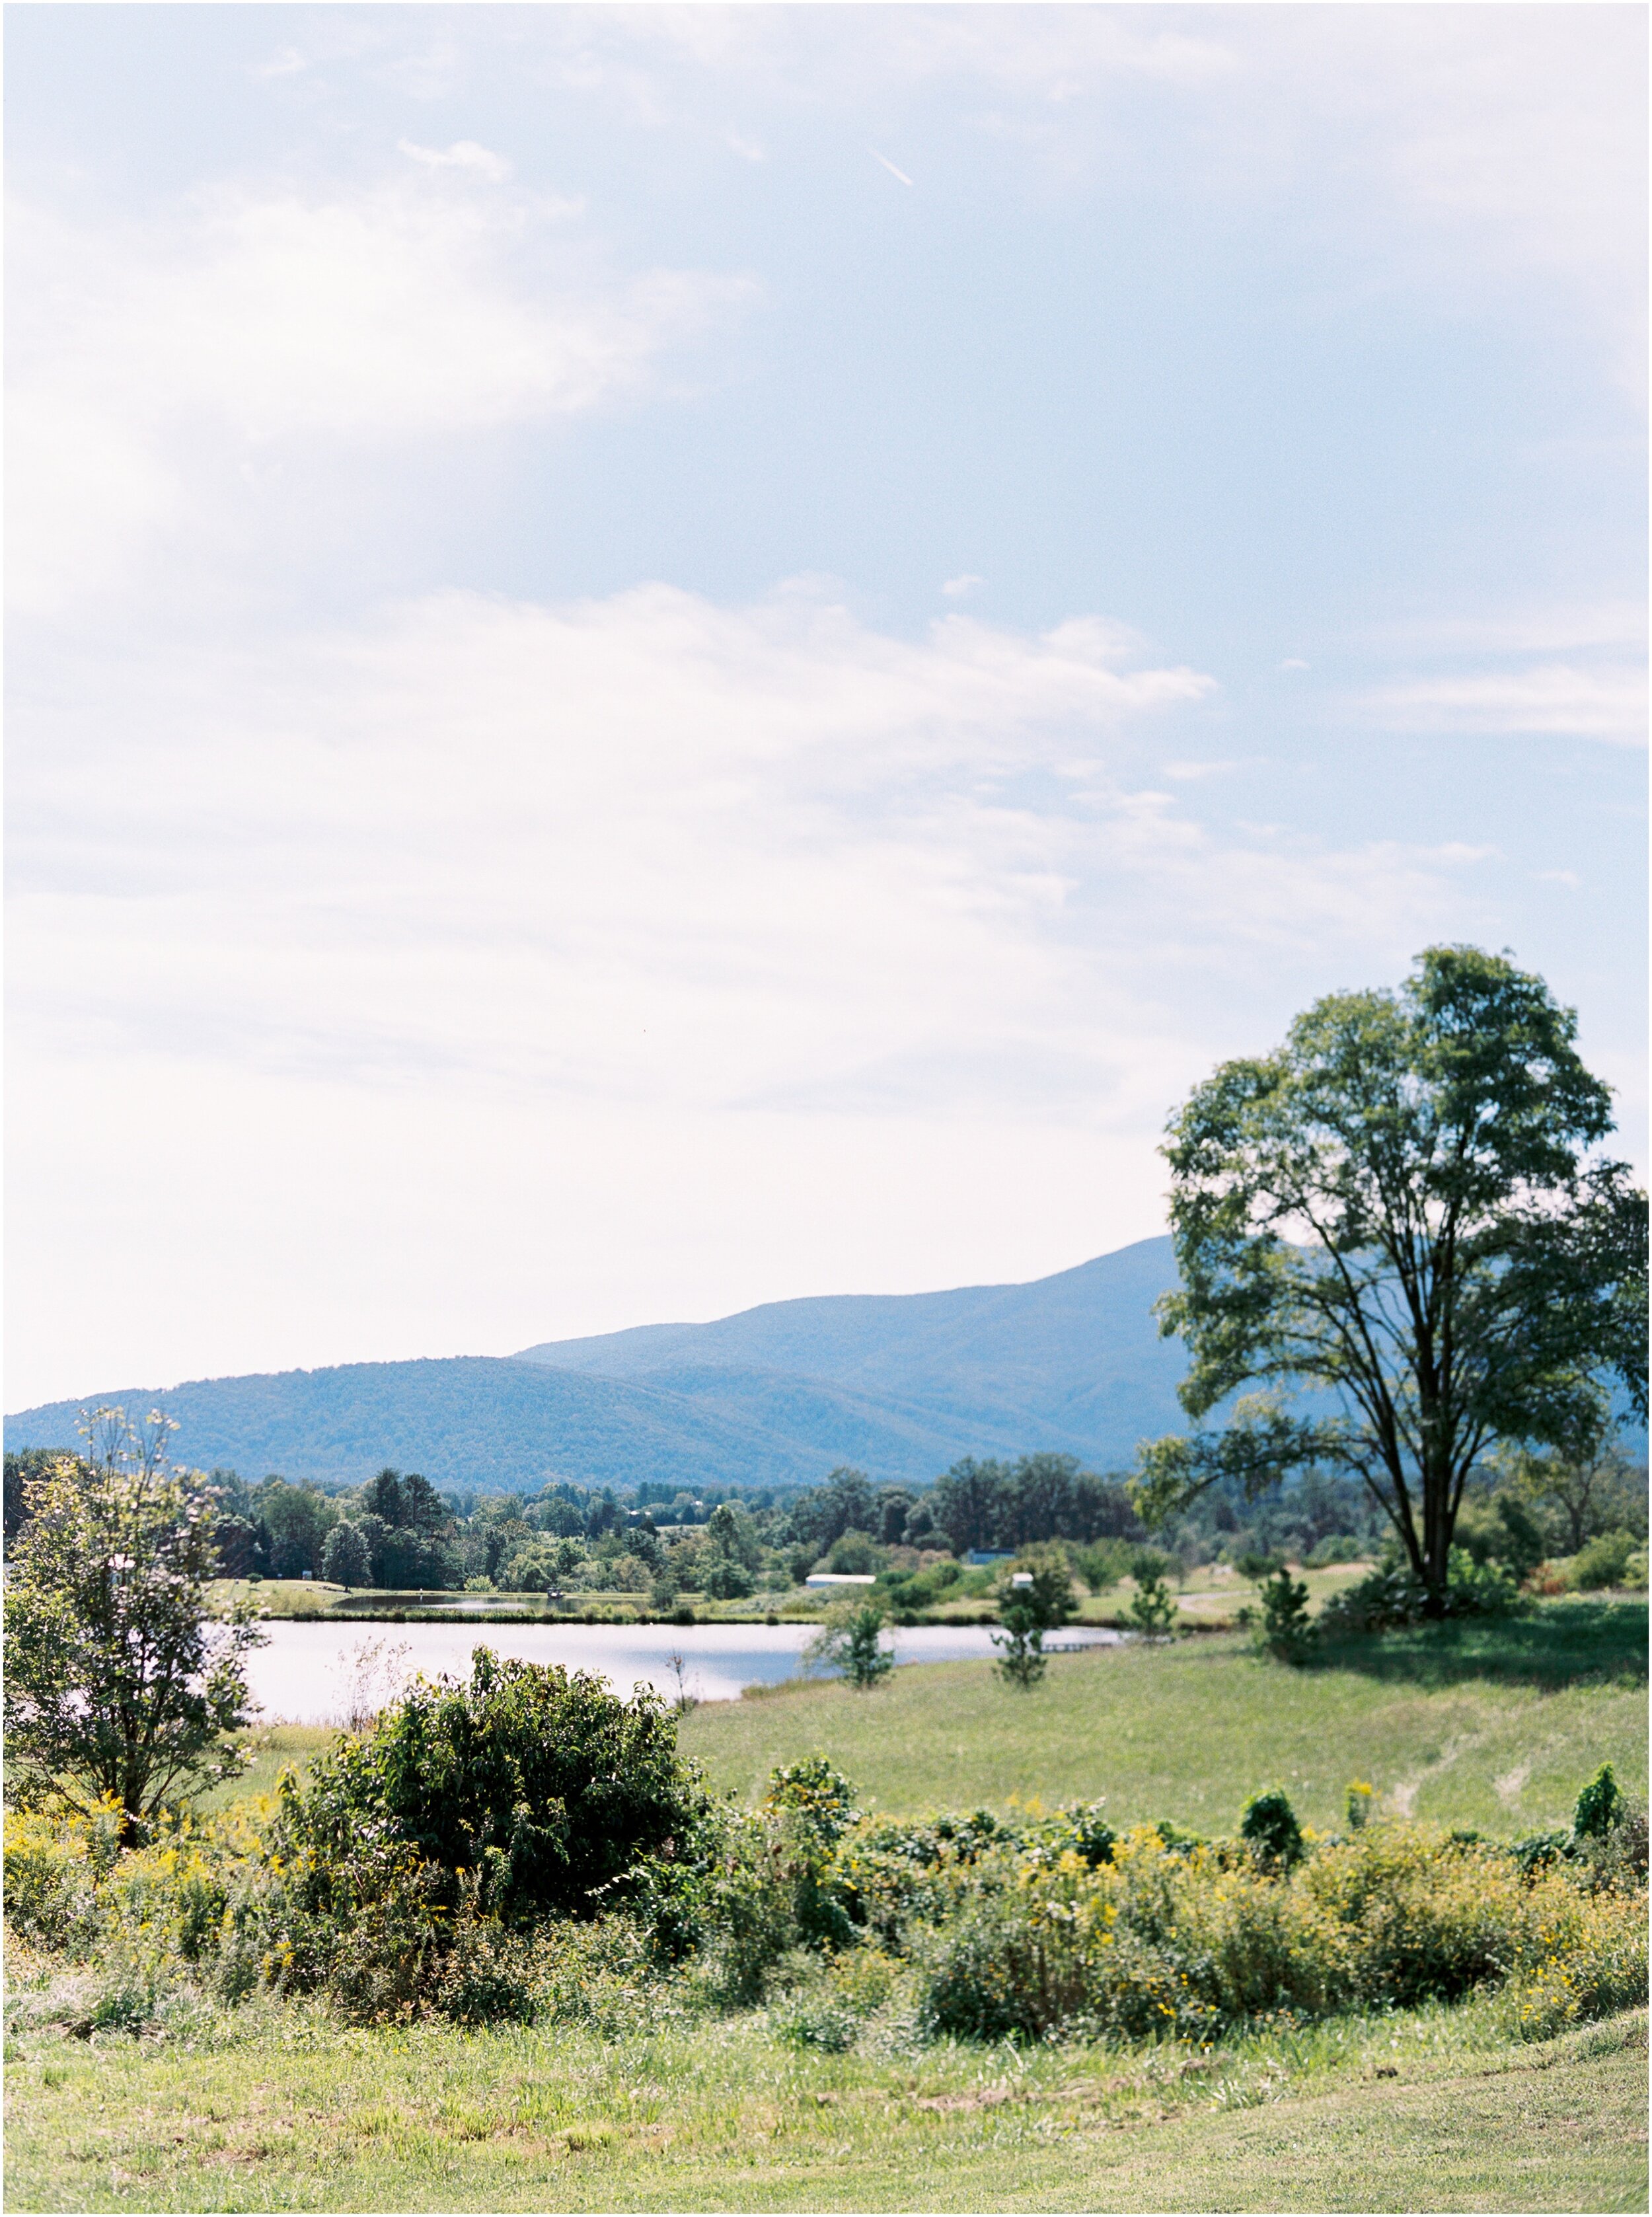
(1493,1726)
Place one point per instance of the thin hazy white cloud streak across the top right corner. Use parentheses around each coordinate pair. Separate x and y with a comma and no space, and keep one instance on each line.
(1447,147)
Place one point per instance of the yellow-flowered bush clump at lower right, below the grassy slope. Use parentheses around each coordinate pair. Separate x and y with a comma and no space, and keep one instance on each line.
(1201,1943)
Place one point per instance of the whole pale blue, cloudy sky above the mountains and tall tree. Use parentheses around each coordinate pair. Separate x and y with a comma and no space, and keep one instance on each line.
(666,657)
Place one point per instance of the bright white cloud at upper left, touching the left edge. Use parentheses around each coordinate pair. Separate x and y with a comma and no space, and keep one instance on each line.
(407,311)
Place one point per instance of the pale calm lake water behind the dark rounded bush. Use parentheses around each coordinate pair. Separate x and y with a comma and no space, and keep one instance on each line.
(307,1675)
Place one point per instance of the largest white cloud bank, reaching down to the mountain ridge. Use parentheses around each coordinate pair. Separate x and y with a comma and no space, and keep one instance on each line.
(498,970)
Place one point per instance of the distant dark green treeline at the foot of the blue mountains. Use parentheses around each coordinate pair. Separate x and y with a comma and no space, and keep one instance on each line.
(400,1533)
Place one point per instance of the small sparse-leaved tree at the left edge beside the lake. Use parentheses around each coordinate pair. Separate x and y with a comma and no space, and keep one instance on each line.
(116,1682)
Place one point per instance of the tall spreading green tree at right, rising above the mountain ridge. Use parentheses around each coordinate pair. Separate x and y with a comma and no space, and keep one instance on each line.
(1407,1214)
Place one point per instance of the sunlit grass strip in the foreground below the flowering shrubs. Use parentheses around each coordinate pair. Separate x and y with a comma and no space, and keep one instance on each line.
(1420,2112)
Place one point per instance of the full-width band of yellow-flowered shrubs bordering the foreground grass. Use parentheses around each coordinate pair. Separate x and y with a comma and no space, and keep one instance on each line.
(1037,1928)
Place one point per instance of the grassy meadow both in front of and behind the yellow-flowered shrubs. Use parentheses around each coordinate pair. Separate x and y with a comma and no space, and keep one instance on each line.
(283,2105)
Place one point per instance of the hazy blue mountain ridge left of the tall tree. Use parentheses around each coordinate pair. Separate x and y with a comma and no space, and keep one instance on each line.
(777,1396)
